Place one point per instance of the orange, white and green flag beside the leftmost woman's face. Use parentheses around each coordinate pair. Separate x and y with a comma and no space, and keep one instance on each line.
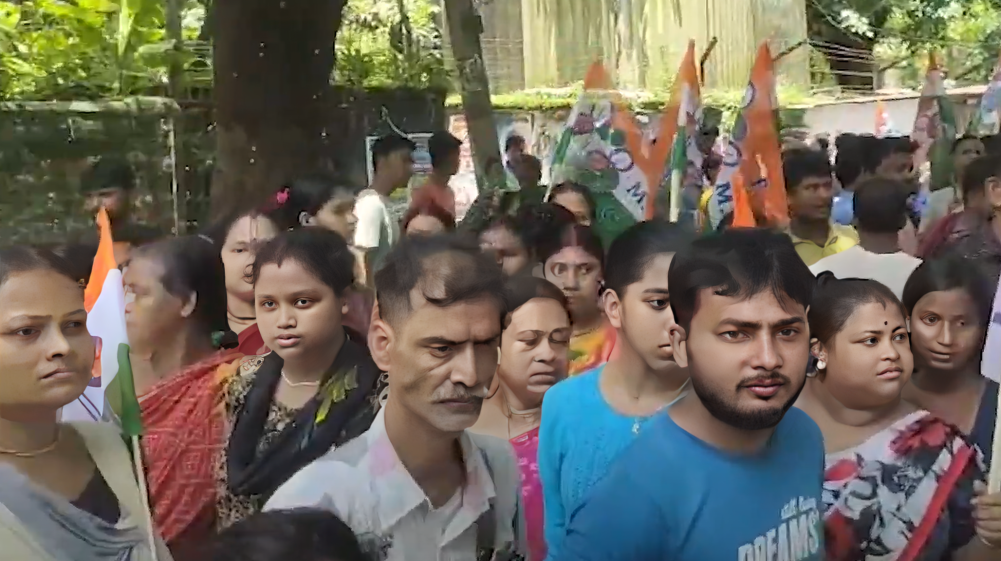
(112,393)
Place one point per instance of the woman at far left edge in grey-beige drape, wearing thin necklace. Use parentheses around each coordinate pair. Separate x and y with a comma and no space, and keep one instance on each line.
(69,491)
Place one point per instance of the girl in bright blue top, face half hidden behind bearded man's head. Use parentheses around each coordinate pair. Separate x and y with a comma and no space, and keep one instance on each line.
(589,420)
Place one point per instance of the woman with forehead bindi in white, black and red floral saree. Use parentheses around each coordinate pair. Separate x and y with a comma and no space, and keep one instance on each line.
(899,482)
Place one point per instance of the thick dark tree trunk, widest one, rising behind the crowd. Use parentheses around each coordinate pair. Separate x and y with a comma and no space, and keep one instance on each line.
(273,65)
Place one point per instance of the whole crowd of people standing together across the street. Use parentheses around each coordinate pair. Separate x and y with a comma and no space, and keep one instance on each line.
(322,382)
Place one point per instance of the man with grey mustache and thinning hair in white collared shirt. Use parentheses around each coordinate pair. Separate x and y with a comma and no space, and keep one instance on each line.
(417,485)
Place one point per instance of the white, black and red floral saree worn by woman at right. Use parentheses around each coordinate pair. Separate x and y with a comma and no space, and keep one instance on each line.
(902,495)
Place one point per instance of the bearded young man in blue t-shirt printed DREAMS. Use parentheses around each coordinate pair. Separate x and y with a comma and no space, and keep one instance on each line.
(730,472)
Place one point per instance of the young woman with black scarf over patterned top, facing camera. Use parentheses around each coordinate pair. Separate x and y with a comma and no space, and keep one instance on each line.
(319,388)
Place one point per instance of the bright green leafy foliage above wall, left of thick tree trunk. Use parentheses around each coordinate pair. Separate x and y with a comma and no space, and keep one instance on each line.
(87,50)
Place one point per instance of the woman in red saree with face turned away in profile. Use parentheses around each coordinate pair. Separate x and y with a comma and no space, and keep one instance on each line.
(176,300)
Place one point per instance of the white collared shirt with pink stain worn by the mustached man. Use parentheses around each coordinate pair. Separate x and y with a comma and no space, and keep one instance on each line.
(366,484)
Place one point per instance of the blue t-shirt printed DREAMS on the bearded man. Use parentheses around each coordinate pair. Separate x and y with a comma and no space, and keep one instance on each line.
(672,497)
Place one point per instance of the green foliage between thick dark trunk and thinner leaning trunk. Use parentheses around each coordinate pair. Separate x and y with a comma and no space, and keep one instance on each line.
(380,47)
